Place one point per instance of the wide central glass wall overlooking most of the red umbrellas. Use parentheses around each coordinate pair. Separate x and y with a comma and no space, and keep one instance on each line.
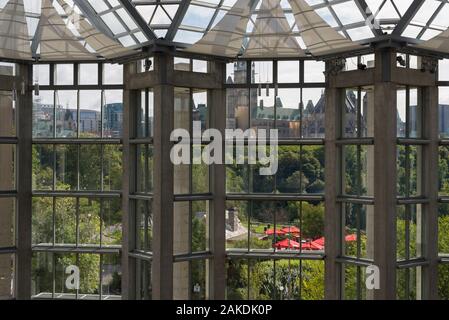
(275,223)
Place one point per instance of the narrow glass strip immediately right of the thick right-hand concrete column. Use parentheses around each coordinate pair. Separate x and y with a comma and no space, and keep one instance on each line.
(410,219)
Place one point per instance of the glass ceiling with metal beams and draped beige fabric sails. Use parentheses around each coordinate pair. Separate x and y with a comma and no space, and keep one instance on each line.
(92,29)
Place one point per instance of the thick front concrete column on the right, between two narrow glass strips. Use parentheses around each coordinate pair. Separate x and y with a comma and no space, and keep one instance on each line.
(385,116)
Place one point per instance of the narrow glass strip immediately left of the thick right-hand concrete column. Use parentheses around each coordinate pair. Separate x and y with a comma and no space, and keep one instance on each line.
(356,194)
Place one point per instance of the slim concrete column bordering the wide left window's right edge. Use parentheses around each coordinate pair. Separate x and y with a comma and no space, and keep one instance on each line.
(130,107)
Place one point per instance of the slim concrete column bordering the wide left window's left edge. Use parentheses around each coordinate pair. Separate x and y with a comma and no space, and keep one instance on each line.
(24,199)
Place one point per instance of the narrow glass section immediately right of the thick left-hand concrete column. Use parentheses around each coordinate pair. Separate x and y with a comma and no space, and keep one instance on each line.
(192,197)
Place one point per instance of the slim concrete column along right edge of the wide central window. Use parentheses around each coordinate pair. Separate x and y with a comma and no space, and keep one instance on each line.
(332,208)
